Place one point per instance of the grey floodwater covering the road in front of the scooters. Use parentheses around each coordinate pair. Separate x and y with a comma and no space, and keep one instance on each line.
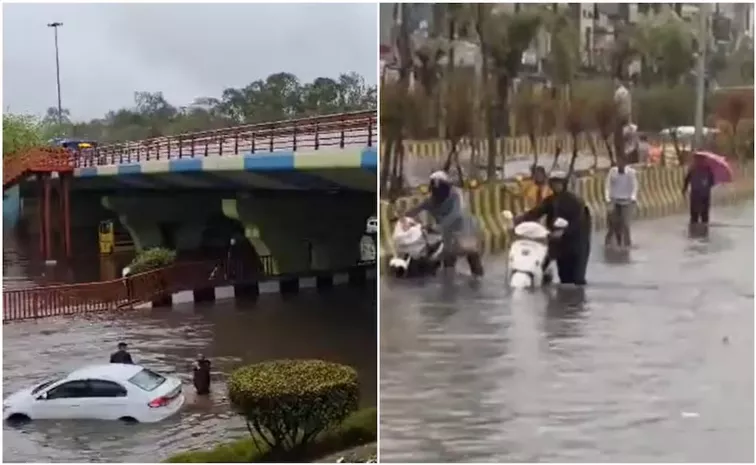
(652,363)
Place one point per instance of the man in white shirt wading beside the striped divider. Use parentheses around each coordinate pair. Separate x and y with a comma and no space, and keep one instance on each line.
(621,192)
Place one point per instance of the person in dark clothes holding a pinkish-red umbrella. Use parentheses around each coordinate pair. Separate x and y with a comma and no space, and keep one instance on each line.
(706,171)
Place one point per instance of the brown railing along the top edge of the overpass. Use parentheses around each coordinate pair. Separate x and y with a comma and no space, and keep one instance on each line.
(314,133)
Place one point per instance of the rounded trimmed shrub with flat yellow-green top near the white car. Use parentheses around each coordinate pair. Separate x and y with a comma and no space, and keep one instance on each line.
(287,403)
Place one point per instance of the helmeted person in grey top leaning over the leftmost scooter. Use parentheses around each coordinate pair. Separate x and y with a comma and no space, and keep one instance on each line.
(457,226)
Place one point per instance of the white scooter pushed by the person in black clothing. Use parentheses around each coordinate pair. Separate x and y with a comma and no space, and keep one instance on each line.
(528,252)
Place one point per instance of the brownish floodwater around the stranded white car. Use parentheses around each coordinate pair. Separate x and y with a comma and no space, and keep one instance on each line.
(338,326)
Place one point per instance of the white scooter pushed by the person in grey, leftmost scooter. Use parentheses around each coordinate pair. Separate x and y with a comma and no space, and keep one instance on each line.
(418,250)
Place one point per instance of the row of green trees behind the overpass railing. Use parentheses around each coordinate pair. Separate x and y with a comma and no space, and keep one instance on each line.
(279,96)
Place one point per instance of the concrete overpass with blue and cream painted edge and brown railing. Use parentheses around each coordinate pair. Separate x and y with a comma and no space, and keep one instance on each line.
(299,191)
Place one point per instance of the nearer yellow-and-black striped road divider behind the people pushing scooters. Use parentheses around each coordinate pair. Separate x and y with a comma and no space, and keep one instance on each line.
(660,194)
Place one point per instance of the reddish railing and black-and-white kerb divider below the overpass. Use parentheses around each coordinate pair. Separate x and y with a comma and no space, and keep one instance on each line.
(180,283)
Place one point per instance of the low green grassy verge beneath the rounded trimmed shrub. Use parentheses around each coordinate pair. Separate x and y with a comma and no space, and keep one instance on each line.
(357,429)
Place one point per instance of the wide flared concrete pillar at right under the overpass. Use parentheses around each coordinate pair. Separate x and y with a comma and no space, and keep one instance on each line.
(305,231)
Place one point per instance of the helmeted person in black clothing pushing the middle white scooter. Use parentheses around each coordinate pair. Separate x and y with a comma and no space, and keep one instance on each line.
(571,246)
